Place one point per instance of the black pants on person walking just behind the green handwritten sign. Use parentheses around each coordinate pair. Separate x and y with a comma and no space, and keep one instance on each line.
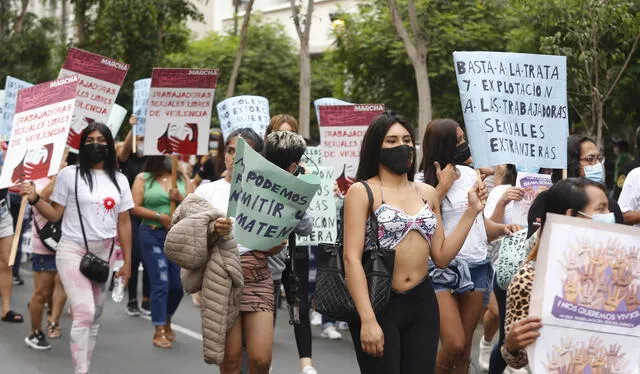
(302,331)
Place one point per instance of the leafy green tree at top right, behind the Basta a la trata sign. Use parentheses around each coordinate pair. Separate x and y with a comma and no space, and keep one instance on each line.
(600,39)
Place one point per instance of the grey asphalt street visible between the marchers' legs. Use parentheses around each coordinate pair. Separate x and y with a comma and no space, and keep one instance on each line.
(124,345)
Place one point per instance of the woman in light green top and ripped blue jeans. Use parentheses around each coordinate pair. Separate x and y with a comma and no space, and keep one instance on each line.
(152,195)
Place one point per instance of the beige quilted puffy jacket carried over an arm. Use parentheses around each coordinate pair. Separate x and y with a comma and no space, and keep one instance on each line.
(209,263)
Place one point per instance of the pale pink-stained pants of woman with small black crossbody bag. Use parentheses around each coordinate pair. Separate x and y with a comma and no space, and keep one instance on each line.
(87,299)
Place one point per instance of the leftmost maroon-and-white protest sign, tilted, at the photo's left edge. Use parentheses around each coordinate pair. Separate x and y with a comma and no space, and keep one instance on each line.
(41,123)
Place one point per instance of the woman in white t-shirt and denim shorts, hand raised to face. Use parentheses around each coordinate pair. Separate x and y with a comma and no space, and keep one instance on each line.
(464,285)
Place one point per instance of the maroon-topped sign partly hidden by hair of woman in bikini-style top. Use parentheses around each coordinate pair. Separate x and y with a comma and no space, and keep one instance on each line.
(342,128)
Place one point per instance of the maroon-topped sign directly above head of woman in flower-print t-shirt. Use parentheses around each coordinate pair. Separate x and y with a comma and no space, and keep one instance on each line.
(99,84)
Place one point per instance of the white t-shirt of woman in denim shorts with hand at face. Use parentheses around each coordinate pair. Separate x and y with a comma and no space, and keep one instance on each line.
(453,207)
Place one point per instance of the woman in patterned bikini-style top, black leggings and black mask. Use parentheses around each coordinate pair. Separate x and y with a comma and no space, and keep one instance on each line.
(401,338)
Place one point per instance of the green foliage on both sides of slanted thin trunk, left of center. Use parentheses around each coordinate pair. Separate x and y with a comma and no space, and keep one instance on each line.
(269,66)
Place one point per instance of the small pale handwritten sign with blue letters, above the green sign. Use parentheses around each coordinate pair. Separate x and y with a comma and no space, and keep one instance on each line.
(244,111)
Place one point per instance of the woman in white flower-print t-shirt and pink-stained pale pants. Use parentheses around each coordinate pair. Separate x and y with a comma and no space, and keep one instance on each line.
(90,222)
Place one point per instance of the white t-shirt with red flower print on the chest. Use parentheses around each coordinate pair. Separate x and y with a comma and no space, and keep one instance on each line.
(100,207)
